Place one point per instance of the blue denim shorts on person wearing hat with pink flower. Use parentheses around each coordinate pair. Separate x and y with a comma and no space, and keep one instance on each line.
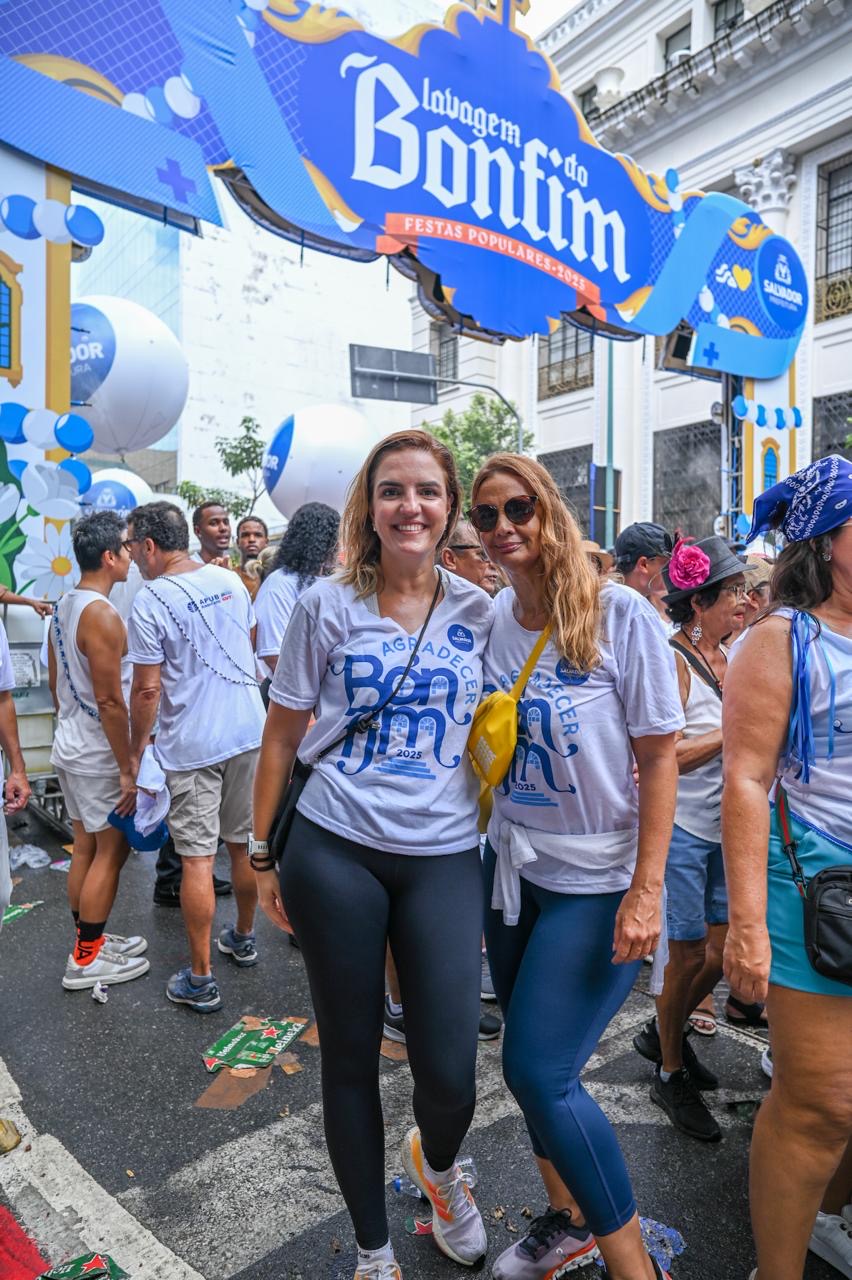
(695,885)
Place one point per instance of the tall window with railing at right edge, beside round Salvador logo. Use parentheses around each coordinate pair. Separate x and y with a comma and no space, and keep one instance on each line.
(835,240)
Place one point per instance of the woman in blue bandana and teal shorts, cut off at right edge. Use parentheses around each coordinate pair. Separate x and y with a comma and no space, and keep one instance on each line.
(787,734)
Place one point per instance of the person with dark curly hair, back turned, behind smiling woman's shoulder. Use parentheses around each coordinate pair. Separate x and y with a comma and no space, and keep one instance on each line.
(305,554)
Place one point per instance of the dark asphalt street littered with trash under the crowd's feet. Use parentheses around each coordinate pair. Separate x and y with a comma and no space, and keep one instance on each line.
(118,1156)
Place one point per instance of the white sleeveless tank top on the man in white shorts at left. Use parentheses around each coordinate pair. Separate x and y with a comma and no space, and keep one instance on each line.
(80,743)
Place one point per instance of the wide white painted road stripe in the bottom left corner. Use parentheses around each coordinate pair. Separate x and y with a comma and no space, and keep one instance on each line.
(67,1212)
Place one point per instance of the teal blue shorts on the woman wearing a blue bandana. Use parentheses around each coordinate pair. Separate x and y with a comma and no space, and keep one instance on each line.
(785,908)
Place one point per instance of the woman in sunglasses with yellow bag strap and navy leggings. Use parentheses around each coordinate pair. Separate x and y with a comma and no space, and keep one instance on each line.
(575,856)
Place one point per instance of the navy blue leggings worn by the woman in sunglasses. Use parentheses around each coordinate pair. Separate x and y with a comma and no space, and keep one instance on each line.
(558,989)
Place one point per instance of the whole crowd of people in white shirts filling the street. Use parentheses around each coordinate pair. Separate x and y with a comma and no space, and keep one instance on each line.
(677,793)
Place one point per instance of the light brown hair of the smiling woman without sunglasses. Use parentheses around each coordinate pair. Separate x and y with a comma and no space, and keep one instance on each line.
(360,546)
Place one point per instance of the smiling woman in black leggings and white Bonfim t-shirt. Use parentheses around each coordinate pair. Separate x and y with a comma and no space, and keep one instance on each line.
(384,845)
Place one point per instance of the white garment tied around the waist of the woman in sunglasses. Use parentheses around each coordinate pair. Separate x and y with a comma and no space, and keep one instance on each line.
(599,863)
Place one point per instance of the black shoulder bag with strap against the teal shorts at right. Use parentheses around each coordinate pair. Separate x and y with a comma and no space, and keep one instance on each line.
(827,903)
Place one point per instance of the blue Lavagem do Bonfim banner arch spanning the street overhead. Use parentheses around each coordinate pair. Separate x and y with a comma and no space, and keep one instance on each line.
(451,149)
